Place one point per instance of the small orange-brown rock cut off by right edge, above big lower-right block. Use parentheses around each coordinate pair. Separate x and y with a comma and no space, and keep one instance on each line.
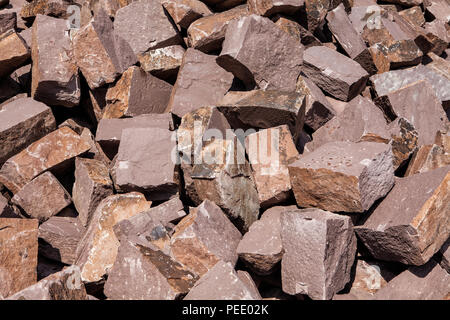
(431,156)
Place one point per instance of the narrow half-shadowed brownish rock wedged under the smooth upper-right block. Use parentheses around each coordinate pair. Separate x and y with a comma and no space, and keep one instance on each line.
(318,109)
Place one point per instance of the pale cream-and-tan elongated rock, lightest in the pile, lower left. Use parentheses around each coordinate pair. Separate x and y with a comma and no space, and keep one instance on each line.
(97,250)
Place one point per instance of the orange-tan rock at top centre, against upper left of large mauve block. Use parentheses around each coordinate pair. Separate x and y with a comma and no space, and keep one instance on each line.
(207,33)
